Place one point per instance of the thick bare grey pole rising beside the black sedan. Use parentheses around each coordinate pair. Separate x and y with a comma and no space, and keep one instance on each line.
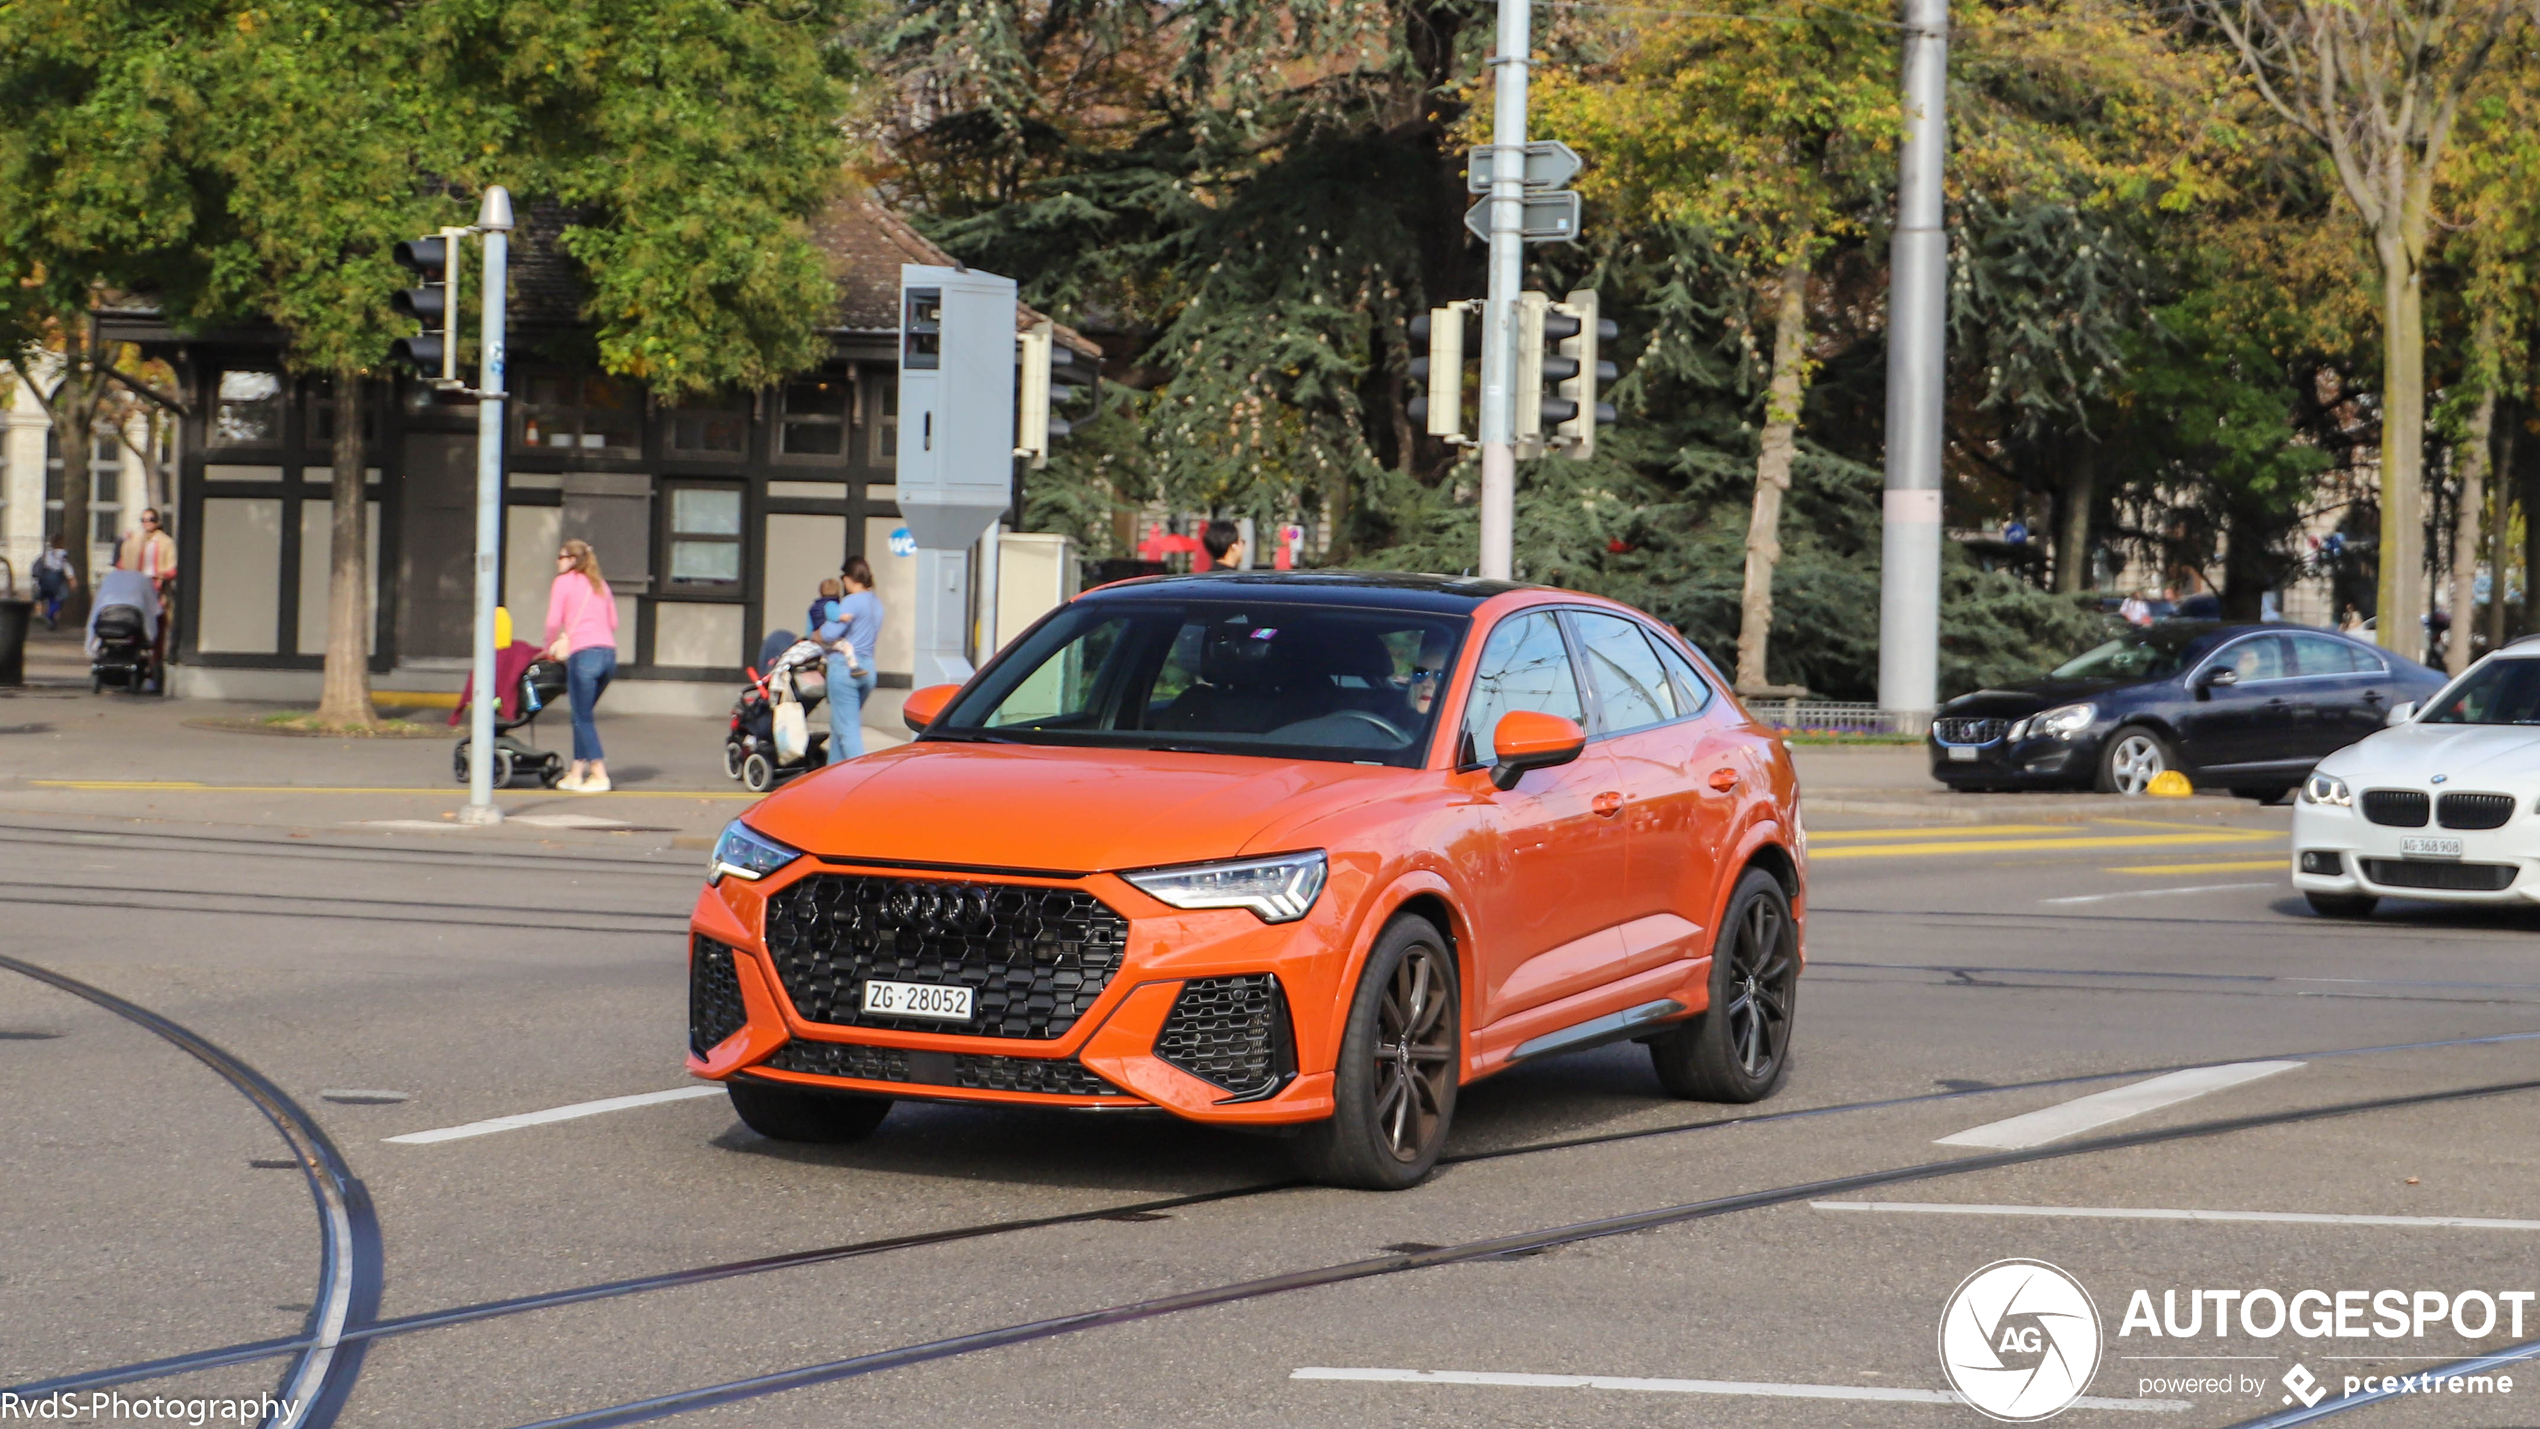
(1916,382)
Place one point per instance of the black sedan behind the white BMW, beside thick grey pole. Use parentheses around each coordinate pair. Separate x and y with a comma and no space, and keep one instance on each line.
(2234,707)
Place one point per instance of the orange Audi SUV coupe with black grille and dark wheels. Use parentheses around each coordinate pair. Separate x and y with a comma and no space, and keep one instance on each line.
(1269,852)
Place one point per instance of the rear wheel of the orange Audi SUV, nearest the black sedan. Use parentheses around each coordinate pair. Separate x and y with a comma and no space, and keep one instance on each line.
(1739,1050)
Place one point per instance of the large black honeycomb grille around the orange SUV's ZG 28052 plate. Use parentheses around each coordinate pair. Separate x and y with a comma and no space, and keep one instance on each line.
(1038,958)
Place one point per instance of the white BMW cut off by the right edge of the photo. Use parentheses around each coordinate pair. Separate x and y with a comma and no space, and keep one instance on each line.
(2440,806)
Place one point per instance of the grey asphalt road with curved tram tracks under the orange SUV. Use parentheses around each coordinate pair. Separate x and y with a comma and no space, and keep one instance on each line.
(380,984)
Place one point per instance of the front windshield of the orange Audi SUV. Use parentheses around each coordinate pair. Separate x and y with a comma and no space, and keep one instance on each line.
(1220,676)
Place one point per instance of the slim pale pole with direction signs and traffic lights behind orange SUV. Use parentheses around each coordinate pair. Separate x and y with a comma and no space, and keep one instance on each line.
(1497,425)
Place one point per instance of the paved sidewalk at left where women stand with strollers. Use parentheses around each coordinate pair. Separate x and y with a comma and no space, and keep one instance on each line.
(118,755)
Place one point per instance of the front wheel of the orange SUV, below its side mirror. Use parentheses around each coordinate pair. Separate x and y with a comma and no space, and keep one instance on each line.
(1401,1062)
